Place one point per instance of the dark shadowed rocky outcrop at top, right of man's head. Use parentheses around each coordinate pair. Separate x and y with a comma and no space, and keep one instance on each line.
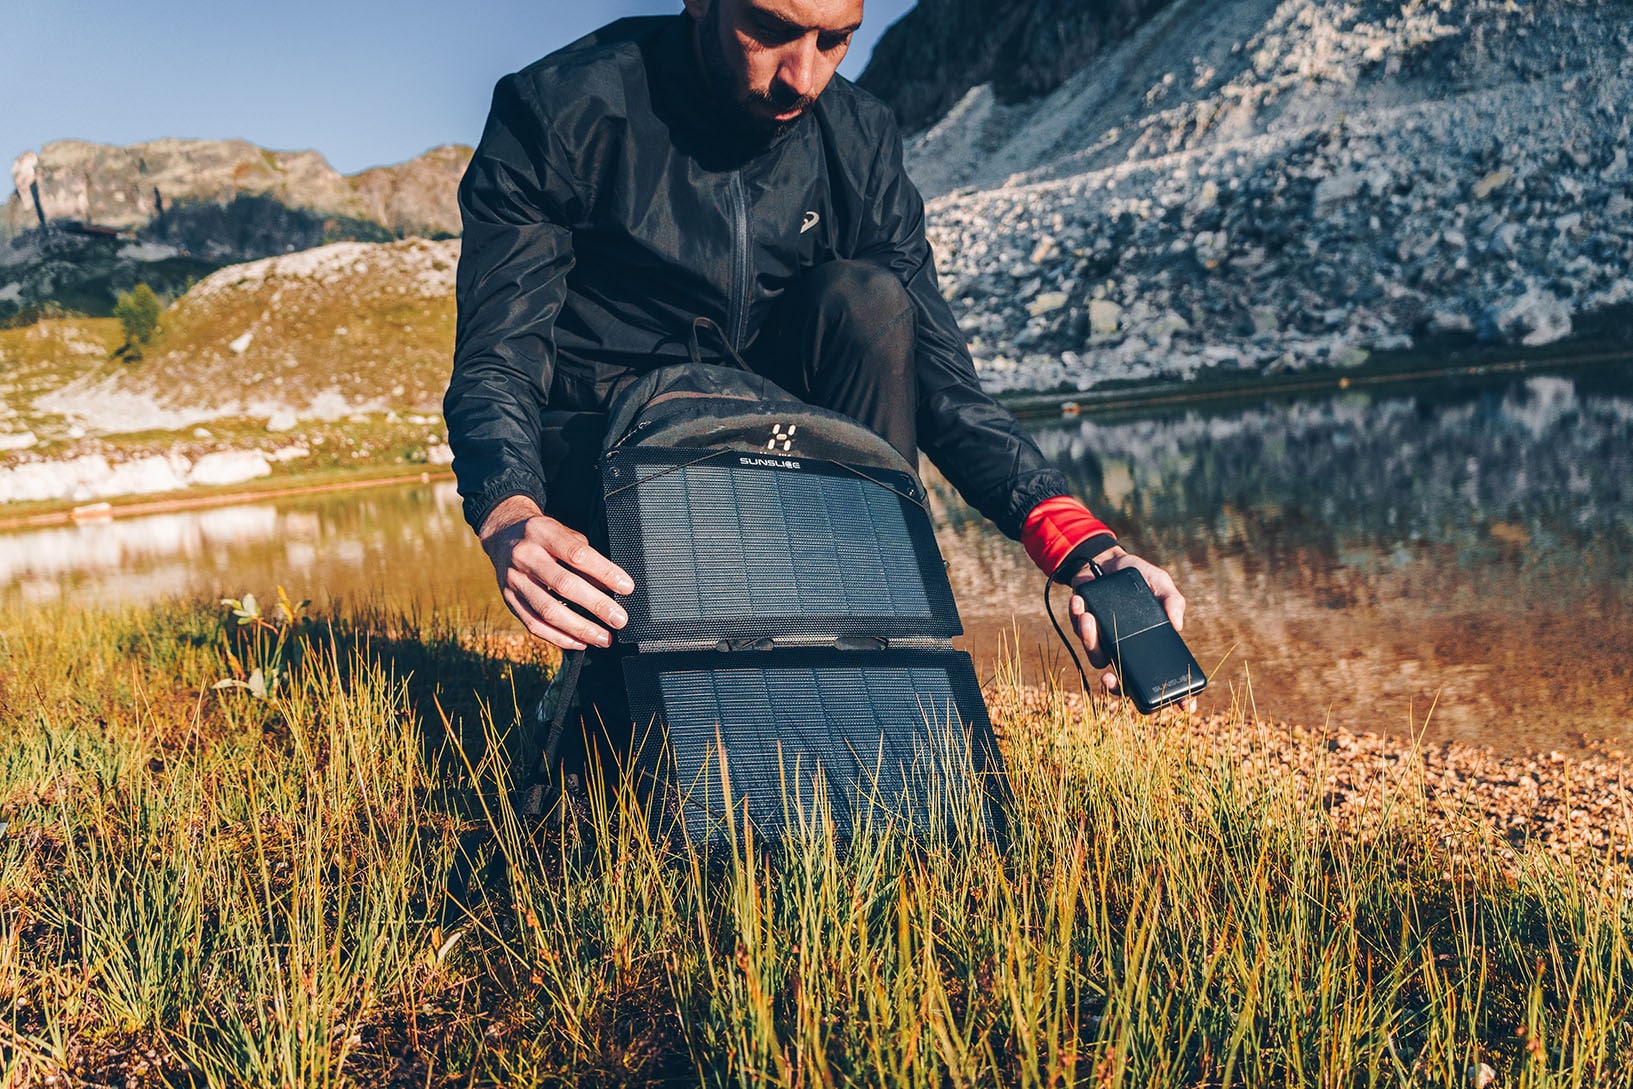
(938,51)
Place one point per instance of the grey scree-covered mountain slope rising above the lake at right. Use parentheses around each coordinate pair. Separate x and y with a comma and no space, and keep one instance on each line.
(1288,184)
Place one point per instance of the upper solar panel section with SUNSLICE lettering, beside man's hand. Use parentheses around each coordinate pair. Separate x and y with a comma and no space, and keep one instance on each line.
(729,546)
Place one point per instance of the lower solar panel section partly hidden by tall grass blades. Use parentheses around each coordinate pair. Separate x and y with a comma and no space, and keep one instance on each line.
(853,737)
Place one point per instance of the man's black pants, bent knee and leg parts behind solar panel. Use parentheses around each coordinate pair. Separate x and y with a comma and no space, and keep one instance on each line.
(842,337)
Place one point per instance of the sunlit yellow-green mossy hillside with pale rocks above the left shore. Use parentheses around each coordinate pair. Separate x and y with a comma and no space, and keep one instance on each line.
(329,360)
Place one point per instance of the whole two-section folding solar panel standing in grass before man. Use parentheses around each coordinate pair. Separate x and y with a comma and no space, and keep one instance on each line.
(793,628)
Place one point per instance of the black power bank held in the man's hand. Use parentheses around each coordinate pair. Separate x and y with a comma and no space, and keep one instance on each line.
(1154,665)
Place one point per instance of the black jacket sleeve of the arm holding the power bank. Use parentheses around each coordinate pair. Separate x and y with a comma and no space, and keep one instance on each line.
(971,438)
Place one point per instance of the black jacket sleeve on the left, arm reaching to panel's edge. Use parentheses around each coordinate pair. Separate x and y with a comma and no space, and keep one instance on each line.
(517,203)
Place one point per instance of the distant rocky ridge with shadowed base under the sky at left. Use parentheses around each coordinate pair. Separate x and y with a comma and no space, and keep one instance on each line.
(89,221)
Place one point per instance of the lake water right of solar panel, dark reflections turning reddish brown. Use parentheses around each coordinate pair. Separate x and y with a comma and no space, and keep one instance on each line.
(1454,562)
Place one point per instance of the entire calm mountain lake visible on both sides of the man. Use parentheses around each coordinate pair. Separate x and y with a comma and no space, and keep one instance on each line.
(1453,561)
